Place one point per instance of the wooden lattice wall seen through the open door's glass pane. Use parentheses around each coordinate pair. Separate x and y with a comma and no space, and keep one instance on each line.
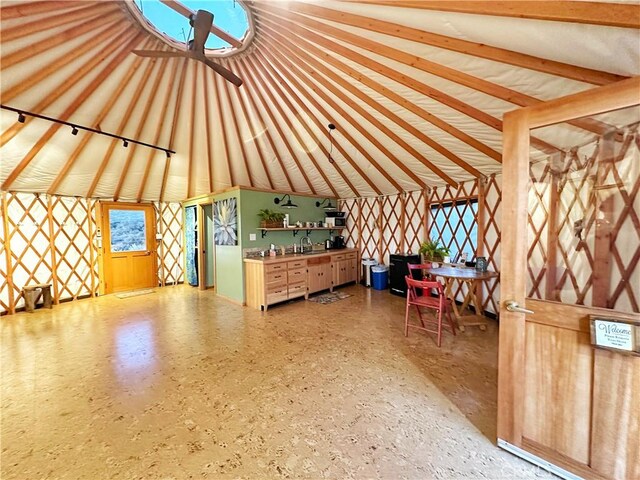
(573,174)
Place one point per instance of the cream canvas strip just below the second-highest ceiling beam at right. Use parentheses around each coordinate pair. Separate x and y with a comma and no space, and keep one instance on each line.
(539,85)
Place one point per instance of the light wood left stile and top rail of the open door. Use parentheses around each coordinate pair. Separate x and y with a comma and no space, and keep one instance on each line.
(516,133)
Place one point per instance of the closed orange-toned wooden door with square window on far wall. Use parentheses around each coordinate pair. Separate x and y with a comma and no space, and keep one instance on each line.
(128,247)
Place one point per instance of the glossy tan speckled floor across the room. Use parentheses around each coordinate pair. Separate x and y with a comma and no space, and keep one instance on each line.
(181,384)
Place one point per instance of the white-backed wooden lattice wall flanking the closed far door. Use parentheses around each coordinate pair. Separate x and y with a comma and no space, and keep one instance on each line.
(51,239)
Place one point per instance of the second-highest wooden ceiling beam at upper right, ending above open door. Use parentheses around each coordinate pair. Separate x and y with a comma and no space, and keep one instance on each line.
(510,57)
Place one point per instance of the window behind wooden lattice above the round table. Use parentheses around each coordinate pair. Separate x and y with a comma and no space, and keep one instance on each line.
(454,225)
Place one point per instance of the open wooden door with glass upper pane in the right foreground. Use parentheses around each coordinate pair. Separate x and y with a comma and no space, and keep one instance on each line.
(570,249)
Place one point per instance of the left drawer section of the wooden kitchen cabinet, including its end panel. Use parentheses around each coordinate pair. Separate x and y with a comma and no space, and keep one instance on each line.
(269,283)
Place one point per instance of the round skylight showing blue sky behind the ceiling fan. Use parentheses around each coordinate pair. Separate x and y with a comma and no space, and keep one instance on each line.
(170,18)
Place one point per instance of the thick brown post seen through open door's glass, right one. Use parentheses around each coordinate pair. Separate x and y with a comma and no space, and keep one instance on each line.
(603,211)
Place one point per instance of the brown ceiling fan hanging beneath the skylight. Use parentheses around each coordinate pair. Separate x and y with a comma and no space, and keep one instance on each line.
(201,22)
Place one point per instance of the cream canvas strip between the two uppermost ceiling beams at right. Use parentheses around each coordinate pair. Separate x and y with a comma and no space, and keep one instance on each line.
(559,41)
